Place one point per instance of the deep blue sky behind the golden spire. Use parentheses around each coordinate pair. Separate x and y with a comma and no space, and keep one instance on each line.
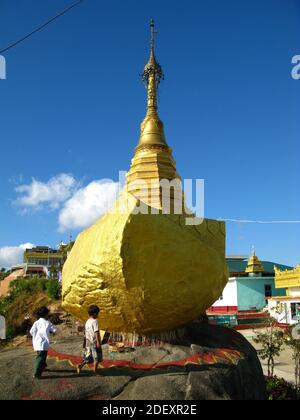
(73,101)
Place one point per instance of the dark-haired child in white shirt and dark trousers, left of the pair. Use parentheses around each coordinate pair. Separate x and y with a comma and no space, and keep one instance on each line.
(40,339)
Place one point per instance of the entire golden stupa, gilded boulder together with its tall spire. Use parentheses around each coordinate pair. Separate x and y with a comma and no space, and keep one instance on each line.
(140,262)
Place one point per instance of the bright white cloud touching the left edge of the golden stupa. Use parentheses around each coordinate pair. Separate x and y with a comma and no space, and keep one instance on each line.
(87,205)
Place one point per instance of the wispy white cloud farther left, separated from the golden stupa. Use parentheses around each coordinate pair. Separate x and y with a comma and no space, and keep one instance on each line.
(53,193)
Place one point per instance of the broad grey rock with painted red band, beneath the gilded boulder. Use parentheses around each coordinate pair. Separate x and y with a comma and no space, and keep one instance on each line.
(202,363)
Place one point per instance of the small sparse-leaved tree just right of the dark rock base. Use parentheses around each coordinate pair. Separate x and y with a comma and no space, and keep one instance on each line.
(272,342)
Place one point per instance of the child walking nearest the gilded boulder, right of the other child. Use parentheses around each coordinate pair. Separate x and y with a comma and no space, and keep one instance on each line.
(92,341)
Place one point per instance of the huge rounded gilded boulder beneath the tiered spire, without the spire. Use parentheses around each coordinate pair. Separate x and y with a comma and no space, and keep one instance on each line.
(148,273)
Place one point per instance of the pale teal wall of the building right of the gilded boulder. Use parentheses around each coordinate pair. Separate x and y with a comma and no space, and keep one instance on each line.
(251,292)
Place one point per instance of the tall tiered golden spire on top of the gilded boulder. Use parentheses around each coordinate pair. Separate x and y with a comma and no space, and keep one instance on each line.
(153,160)
